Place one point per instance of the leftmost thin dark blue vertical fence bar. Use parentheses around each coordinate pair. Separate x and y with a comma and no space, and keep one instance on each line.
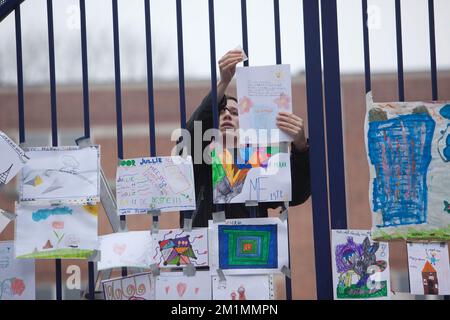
(20,75)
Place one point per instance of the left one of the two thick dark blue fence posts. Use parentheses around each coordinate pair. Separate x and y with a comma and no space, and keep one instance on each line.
(319,190)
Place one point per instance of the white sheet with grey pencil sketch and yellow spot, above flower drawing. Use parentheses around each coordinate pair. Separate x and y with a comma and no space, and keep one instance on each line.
(60,173)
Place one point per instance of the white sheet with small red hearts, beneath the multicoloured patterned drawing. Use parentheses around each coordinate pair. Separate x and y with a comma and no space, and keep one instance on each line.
(177,286)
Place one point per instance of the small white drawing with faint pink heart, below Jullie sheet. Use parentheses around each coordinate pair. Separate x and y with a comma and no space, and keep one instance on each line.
(125,249)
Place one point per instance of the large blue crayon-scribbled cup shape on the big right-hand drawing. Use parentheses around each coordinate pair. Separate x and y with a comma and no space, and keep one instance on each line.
(400,151)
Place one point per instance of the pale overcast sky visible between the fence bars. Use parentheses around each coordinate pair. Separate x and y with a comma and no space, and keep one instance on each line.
(196,38)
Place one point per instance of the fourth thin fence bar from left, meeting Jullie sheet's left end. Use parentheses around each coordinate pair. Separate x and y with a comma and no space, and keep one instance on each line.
(118,91)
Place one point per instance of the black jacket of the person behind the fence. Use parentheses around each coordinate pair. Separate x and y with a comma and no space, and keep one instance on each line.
(300,177)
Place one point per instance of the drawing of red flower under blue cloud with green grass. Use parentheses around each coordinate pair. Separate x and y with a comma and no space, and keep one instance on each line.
(56,232)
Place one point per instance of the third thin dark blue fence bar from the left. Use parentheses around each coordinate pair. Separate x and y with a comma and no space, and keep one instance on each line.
(87,128)
